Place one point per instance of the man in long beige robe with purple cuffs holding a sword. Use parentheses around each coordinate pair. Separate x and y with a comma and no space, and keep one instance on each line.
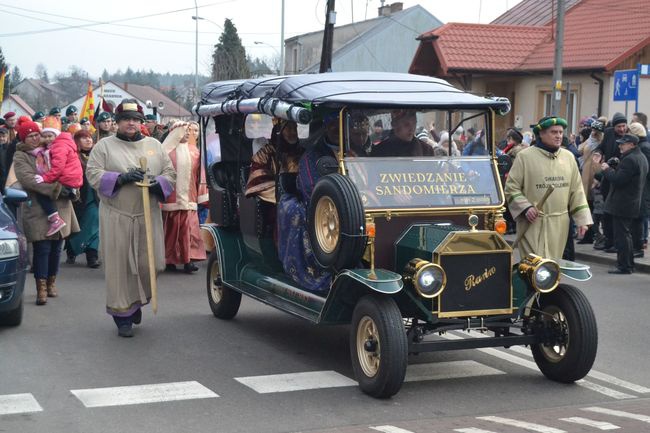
(113,169)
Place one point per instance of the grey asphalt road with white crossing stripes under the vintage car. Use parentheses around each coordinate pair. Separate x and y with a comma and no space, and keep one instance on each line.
(202,374)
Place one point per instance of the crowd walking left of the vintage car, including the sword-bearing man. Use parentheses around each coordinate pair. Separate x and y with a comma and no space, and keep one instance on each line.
(83,181)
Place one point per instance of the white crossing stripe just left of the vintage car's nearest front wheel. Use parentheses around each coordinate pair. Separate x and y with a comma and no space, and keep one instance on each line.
(296,381)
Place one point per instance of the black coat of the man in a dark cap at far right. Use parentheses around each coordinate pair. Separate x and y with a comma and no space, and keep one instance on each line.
(624,198)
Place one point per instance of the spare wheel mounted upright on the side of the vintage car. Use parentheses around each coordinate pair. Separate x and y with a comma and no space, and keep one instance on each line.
(336,223)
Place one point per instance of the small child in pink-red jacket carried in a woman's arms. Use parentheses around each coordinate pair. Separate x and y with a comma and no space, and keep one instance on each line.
(61,165)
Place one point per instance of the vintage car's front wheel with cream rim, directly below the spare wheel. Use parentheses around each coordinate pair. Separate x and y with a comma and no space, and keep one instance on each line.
(378,346)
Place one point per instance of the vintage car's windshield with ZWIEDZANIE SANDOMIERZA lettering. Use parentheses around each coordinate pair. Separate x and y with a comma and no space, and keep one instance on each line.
(399,159)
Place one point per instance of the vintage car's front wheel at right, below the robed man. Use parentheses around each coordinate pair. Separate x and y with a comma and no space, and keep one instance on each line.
(571,359)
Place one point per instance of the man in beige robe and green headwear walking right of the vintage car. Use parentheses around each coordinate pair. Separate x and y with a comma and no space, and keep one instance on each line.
(534,170)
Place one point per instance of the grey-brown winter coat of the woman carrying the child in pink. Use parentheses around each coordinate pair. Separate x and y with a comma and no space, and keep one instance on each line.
(34,219)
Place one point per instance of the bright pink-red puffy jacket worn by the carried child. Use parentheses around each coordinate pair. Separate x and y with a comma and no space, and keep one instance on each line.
(65,166)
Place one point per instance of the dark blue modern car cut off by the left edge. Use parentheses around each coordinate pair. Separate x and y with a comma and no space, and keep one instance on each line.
(13,259)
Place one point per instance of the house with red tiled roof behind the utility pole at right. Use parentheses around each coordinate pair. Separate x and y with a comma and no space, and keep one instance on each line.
(514,56)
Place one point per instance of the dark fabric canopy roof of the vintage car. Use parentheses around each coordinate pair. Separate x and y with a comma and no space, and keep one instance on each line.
(276,95)
